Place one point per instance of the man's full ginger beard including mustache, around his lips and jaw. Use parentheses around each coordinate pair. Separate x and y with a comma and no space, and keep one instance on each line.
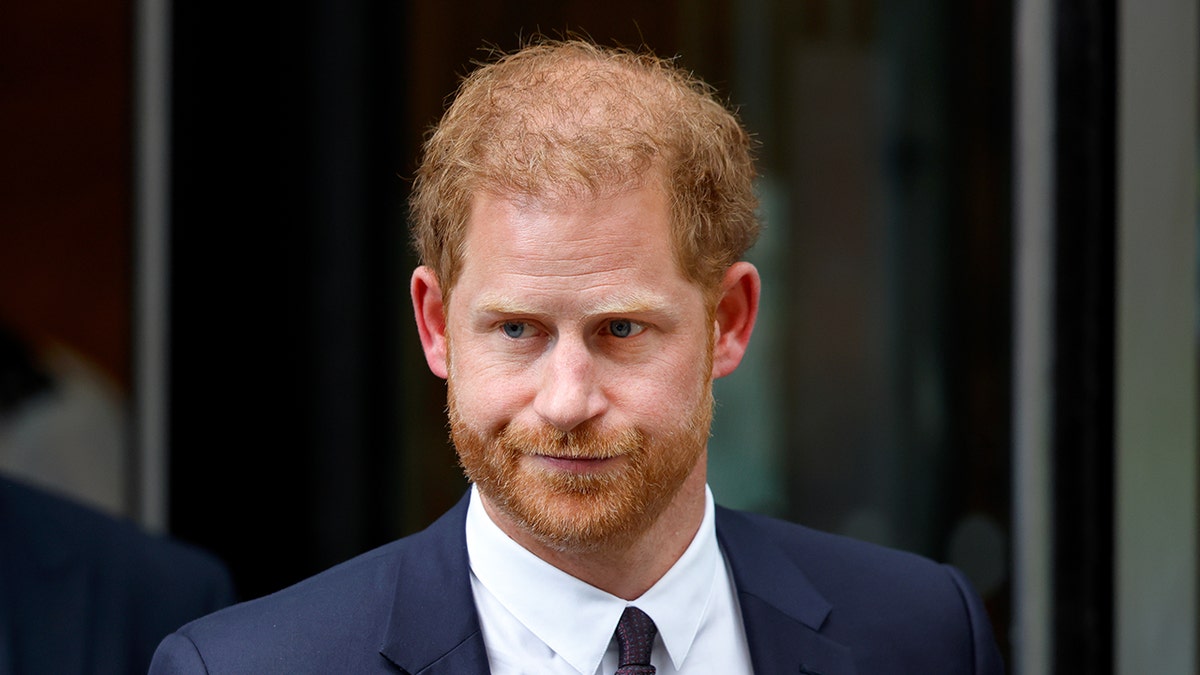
(579,512)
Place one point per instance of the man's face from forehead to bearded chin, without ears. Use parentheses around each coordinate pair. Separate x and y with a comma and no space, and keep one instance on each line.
(580,367)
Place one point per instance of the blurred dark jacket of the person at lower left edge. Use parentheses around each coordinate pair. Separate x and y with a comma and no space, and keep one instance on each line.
(83,593)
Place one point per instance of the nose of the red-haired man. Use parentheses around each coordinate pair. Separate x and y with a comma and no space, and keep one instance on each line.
(569,392)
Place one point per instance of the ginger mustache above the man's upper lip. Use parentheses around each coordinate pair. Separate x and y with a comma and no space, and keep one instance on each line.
(584,443)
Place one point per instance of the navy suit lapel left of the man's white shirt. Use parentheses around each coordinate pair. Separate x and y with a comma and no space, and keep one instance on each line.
(434,628)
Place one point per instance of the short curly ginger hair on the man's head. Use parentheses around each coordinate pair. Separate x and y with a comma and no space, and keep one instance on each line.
(568,118)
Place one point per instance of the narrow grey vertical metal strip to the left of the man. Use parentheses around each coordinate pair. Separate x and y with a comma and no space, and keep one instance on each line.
(152,190)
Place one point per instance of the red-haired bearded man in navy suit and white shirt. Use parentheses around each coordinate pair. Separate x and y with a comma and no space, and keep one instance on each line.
(581,216)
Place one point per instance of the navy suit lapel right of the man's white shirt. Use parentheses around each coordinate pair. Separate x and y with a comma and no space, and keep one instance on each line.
(782,612)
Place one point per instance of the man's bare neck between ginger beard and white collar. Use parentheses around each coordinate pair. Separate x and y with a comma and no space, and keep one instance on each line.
(626,571)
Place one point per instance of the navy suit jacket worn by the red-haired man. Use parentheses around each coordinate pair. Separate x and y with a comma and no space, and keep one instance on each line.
(811,602)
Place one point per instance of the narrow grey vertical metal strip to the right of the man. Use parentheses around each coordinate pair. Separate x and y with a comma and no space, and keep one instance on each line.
(1034,338)
